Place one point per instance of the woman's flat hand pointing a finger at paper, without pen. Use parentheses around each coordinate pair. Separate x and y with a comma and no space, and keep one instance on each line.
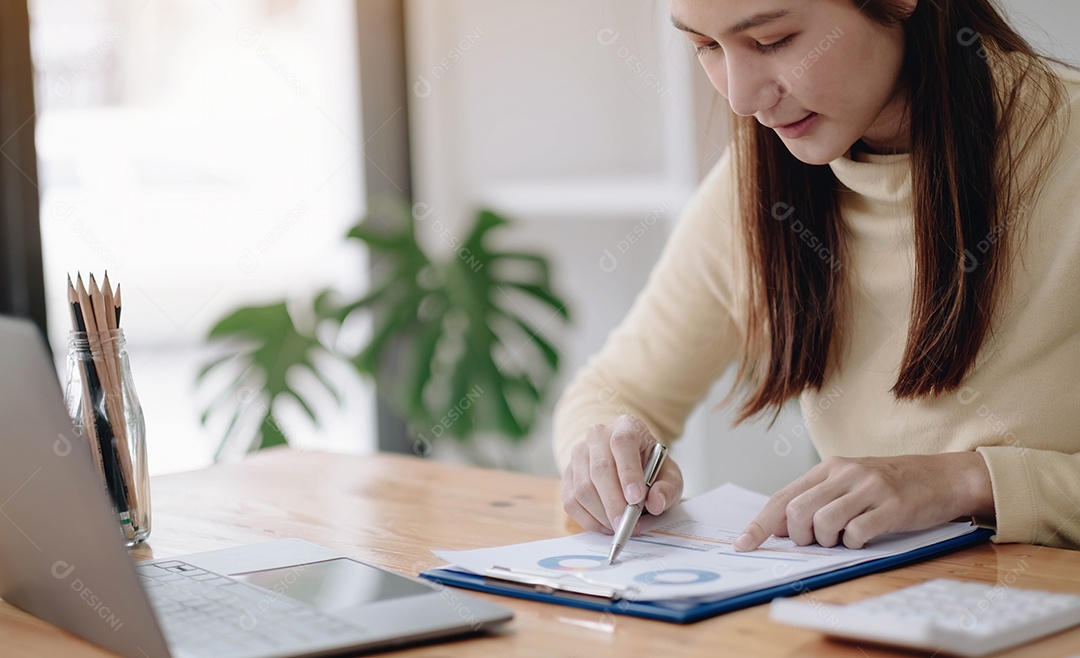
(852,501)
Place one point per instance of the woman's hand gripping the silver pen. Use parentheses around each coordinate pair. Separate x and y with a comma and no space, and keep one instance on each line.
(607,473)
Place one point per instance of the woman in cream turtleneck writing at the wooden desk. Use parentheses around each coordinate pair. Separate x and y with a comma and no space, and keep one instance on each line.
(897,226)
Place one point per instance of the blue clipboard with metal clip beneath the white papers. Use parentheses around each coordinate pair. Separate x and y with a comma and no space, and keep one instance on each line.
(533,587)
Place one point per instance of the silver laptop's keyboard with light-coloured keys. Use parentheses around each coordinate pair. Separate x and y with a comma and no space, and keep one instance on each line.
(201,613)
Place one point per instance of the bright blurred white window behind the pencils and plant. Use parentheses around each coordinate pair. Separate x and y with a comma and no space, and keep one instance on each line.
(206,154)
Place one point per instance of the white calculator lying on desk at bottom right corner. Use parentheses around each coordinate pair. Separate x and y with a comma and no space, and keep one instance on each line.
(953,617)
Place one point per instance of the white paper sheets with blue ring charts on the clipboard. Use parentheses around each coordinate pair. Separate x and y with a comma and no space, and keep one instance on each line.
(686,553)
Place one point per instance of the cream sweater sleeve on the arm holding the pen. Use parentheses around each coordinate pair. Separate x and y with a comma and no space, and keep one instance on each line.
(680,335)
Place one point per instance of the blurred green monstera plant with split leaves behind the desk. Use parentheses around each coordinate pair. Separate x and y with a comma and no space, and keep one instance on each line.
(451,348)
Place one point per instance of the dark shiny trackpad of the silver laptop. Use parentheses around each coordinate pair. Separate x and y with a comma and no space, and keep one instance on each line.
(334,586)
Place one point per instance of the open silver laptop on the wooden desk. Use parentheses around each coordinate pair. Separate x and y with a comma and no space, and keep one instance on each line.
(62,558)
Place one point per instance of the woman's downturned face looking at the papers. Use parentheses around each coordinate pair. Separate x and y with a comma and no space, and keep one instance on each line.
(819,73)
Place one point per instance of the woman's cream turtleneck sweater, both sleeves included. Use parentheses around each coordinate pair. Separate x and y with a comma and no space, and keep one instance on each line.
(1020,408)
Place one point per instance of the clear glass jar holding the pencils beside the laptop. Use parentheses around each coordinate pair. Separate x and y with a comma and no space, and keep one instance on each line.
(102,401)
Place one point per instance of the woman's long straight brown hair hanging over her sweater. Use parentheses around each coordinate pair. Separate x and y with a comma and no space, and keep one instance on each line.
(980,99)
